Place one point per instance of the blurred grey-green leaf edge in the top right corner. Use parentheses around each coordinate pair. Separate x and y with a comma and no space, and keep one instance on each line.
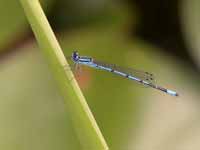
(190,22)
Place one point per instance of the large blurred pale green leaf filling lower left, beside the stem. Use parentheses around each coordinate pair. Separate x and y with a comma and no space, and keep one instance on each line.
(32,111)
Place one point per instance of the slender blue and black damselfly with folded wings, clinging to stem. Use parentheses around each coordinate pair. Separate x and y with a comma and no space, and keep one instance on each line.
(141,77)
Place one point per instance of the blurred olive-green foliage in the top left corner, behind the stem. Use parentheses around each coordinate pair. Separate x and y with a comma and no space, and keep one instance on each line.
(13,24)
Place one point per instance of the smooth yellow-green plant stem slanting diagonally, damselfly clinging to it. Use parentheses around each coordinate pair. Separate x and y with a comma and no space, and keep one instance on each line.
(87,130)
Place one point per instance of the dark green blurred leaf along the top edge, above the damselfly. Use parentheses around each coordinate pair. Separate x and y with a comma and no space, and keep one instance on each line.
(87,13)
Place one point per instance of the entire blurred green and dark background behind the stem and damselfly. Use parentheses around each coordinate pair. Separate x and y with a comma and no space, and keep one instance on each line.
(161,37)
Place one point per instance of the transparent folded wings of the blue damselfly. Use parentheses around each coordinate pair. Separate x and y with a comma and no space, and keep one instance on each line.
(146,76)
